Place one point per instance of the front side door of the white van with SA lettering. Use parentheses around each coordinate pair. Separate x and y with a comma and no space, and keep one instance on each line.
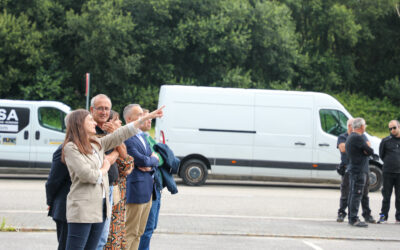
(48,134)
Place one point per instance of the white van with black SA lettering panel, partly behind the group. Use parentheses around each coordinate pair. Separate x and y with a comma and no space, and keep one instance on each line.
(30,132)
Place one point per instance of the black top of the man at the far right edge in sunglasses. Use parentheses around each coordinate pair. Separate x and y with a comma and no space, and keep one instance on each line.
(389,151)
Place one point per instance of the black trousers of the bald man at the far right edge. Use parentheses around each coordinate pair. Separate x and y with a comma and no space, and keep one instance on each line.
(390,181)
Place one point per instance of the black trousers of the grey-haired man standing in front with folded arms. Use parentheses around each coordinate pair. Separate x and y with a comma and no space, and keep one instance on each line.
(357,185)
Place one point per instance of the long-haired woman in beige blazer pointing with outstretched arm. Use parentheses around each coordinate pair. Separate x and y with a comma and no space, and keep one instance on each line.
(83,153)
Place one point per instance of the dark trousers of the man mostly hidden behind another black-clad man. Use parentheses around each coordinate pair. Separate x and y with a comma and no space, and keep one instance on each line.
(344,196)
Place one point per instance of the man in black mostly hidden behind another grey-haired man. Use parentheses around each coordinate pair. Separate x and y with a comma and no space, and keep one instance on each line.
(344,186)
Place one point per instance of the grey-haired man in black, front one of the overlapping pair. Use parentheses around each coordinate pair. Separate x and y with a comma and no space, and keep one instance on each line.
(357,152)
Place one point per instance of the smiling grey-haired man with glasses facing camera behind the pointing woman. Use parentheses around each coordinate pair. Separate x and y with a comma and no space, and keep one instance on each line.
(100,107)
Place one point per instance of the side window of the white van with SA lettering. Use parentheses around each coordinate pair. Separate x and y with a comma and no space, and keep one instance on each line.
(52,118)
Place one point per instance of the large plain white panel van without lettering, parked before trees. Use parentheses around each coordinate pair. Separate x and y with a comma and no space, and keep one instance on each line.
(255,133)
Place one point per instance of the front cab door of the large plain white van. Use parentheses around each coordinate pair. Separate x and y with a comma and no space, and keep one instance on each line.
(332,123)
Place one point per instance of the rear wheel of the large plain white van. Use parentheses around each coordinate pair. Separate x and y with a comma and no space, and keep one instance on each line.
(194,172)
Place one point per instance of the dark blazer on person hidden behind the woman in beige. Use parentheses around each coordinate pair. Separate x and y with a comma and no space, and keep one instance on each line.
(57,187)
